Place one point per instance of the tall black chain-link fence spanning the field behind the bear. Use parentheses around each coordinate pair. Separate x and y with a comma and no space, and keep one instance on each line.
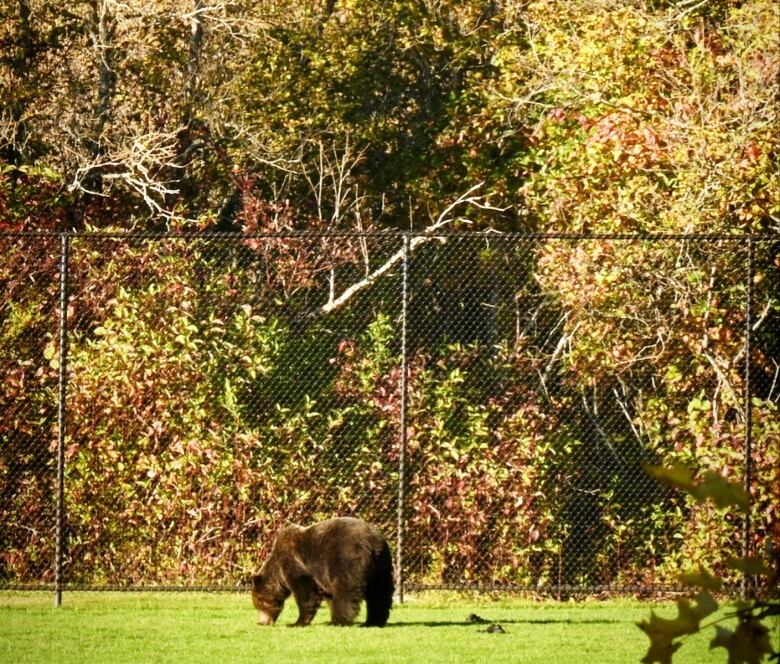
(489,401)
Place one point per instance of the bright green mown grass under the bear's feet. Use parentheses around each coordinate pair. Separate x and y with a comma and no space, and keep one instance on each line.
(198,627)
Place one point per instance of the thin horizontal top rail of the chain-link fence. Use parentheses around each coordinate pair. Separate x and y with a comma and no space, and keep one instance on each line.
(486,234)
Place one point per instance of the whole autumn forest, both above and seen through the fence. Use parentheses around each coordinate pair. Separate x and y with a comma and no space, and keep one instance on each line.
(562,116)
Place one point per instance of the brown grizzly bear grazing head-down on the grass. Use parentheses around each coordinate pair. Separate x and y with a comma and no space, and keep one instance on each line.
(342,561)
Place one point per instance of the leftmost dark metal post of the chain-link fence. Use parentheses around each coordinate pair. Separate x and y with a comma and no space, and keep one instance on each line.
(63,358)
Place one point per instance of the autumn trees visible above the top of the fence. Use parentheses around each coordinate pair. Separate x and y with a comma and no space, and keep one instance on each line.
(608,116)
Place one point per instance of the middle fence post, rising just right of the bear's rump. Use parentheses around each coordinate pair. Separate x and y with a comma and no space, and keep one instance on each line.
(403,388)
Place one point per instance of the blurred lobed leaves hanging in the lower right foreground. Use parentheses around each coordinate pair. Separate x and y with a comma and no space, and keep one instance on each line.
(749,642)
